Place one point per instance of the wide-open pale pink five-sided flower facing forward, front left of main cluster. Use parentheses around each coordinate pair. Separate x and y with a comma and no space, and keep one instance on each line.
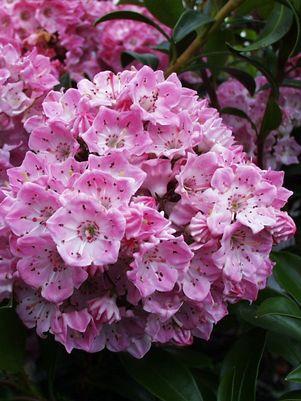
(86,233)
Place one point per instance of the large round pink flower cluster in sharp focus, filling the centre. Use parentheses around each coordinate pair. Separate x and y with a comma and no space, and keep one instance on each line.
(135,219)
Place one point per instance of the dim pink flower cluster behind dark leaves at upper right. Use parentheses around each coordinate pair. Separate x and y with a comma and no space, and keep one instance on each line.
(281,147)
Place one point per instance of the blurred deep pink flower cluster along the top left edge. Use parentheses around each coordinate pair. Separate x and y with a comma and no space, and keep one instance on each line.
(65,31)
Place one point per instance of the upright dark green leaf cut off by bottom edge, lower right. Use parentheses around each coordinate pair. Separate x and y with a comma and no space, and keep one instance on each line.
(240,368)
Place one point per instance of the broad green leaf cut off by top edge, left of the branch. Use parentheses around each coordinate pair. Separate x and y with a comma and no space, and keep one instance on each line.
(167,11)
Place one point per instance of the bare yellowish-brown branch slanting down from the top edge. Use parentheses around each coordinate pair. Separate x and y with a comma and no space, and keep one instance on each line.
(201,39)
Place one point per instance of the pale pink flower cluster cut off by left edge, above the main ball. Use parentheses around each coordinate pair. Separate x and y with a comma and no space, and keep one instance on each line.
(24,81)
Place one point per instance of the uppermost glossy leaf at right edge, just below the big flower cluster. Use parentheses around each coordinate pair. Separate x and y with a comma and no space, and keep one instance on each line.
(288,273)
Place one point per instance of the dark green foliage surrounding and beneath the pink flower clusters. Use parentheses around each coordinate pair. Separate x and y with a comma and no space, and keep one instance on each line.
(255,352)
